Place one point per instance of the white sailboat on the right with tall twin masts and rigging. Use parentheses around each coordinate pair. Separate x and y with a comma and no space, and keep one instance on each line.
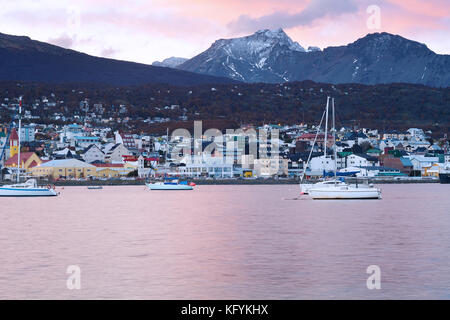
(336,189)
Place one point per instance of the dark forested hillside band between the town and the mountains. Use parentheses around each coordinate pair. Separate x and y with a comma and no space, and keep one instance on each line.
(385,106)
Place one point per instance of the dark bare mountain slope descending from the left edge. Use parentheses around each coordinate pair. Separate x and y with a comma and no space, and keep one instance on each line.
(28,60)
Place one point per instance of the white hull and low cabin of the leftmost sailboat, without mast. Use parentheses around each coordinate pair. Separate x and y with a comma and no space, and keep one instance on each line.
(27,189)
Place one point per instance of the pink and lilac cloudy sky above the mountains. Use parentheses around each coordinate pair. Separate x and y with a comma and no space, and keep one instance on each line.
(148,30)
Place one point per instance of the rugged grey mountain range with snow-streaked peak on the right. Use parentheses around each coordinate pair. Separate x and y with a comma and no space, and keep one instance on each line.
(271,56)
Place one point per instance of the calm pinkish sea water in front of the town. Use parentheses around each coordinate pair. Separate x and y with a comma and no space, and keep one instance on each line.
(226,242)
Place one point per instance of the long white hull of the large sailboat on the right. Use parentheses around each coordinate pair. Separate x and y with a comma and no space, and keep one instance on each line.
(345,193)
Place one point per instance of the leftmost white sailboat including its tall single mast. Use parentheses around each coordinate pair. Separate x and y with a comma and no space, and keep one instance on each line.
(30,188)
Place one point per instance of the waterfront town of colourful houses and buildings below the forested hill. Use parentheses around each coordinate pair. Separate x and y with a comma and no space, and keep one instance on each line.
(91,150)
